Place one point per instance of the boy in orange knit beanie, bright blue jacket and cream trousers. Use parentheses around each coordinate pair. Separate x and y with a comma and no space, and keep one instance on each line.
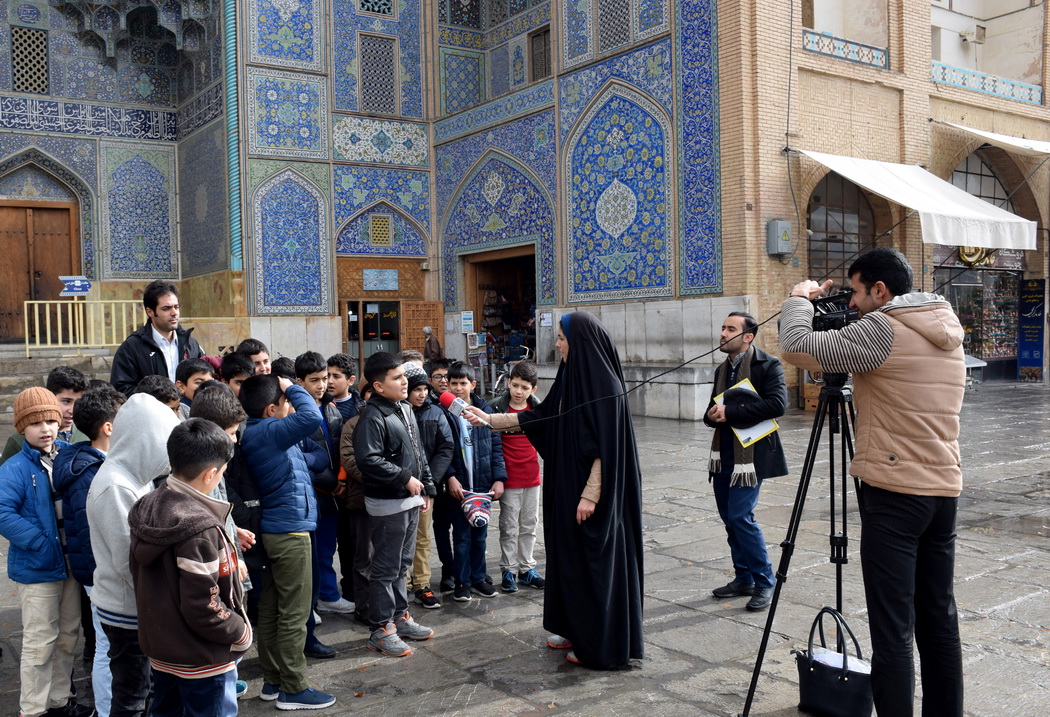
(32,520)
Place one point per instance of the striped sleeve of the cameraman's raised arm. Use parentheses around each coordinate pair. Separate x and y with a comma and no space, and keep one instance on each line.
(859,348)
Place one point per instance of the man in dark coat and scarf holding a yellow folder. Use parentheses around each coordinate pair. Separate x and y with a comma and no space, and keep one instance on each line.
(749,390)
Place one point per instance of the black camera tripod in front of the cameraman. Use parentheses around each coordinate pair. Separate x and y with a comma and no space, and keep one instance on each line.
(835,405)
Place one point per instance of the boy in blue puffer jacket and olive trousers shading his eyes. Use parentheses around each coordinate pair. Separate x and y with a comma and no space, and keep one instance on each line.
(271,448)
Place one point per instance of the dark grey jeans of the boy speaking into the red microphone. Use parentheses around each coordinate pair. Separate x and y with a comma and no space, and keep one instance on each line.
(393,545)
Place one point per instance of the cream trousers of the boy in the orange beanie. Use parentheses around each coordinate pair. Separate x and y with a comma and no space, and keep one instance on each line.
(51,623)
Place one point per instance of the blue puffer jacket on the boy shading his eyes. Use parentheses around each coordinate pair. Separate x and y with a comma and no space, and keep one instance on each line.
(275,458)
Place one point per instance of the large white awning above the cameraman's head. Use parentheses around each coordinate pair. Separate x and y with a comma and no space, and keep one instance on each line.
(948,215)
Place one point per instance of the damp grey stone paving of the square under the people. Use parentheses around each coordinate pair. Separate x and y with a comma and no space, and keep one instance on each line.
(489,656)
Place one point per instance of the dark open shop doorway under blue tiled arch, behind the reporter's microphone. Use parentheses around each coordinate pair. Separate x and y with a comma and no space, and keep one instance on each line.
(501,290)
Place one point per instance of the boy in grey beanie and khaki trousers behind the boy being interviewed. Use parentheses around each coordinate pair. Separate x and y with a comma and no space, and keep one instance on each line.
(436,439)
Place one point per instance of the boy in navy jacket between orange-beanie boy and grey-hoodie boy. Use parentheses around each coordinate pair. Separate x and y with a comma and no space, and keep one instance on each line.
(75,469)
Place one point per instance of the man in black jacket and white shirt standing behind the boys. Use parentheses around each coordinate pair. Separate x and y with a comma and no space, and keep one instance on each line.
(157,348)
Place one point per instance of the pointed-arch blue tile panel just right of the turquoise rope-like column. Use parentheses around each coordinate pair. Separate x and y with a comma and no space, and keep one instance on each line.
(291,248)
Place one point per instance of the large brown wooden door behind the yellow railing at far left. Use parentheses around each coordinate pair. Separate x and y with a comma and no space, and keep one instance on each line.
(41,243)
